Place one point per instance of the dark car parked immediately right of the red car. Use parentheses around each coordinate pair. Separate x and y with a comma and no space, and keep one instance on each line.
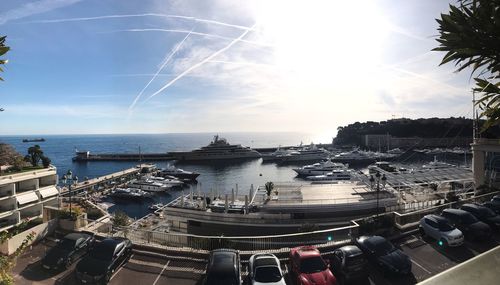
(349,263)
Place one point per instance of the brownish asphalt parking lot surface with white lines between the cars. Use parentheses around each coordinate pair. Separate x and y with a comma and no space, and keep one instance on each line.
(145,268)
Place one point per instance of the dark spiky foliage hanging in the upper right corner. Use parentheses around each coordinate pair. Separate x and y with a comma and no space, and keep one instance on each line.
(470,36)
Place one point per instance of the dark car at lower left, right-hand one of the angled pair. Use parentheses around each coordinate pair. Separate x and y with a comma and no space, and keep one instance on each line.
(102,261)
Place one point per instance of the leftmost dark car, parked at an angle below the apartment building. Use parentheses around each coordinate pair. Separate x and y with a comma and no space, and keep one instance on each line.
(69,249)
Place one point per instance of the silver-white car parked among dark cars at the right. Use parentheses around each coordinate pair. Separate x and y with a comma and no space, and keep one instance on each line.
(441,230)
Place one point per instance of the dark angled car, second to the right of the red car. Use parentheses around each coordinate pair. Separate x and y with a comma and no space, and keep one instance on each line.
(380,251)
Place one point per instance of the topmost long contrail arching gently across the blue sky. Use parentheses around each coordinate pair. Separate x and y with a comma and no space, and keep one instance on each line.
(140,15)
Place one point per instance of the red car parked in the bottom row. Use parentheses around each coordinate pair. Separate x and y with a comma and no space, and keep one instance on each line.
(308,267)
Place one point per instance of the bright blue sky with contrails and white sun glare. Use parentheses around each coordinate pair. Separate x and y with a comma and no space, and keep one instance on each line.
(154,66)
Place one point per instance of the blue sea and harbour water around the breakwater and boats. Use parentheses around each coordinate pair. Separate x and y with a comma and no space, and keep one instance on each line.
(220,177)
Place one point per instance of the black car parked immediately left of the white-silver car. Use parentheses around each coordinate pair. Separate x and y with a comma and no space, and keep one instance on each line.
(224,268)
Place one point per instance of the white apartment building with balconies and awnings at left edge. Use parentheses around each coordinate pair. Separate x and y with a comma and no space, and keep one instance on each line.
(23,195)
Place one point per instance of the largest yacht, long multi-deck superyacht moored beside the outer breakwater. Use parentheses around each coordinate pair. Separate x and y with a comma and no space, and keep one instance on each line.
(218,149)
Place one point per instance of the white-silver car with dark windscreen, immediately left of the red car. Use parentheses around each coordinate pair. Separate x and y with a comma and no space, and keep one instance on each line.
(265,269)
